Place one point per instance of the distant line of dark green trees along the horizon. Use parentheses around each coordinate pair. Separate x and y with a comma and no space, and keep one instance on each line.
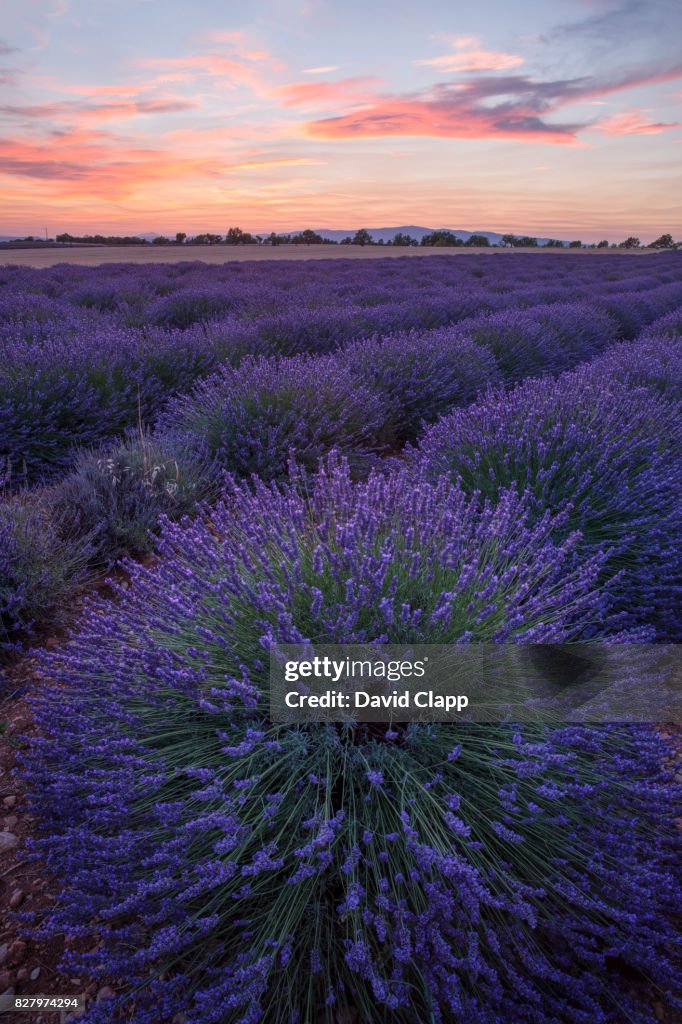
(442,239)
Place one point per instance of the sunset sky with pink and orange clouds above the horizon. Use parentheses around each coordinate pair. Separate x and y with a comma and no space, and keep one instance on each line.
(558,118)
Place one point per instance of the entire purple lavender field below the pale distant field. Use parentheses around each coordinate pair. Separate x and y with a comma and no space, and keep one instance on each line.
(399,451)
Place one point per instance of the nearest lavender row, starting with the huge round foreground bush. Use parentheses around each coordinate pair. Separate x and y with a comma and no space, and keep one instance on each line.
(232,872)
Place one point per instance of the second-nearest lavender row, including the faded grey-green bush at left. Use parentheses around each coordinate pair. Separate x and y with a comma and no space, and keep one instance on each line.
(367,400)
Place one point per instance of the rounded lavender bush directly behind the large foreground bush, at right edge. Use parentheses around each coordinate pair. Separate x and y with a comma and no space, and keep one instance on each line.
(609,455)
